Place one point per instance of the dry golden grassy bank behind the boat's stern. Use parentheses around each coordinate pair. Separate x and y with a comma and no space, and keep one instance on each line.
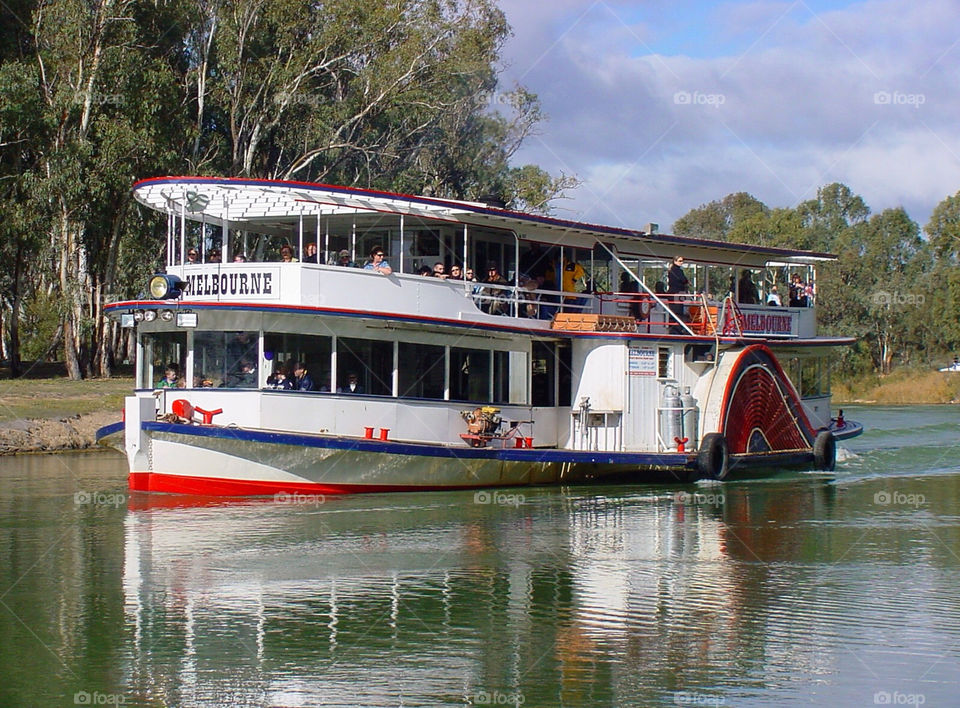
(901,387)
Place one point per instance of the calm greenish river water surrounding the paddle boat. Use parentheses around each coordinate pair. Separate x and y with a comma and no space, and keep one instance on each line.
(802,588)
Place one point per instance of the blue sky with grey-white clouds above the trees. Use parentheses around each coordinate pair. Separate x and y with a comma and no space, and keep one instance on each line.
(660,106)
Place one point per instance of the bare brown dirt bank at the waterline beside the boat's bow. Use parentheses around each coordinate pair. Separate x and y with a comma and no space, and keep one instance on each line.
(47,435)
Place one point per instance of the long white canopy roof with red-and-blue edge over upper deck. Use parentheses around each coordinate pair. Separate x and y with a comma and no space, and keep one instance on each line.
(276,206)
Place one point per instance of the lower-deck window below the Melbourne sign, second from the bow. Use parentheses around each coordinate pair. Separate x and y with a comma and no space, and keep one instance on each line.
(225,359)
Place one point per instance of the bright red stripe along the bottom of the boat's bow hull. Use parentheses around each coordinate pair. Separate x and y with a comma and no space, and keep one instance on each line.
(214,487)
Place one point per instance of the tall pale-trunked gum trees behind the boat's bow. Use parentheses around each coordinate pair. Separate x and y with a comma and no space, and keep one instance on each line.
(97,94)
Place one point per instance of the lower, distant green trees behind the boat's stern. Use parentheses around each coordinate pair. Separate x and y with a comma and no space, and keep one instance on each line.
(897,292)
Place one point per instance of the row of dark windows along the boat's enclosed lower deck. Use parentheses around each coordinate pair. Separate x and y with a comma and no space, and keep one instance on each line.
(363,366)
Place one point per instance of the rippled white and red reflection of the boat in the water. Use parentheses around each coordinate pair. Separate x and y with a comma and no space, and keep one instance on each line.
(538,598)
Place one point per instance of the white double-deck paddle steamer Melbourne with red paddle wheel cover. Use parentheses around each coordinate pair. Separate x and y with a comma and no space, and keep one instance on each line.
(428,383)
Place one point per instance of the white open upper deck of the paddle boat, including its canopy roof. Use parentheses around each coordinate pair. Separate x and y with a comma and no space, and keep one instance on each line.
(549,266)
